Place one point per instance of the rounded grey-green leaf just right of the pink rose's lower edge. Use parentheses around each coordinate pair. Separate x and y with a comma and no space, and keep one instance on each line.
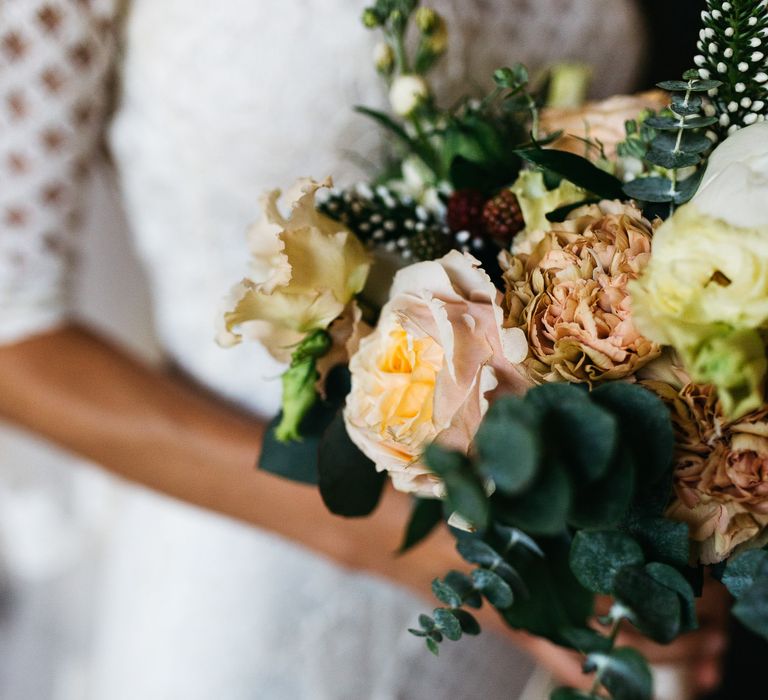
(508,445)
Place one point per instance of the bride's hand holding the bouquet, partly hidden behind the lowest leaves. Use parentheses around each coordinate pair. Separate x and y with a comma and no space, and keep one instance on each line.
(698,653)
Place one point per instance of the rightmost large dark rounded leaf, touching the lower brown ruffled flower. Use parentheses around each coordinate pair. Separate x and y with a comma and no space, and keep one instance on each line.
(645,426)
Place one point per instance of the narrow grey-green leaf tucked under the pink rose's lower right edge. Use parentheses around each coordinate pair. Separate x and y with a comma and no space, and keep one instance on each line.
(464,492)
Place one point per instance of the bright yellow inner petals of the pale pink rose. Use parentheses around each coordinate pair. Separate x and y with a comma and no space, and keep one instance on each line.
(411,366)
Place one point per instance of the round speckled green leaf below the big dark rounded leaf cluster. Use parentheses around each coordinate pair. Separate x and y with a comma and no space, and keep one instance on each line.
(596,558)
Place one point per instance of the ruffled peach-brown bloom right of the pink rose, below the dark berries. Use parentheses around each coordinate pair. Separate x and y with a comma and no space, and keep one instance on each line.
(570,296)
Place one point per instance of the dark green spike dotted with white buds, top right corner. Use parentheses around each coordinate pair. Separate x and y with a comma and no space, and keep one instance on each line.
(732,49)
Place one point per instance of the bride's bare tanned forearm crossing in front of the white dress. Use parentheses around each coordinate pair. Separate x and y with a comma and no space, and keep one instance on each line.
(82,393)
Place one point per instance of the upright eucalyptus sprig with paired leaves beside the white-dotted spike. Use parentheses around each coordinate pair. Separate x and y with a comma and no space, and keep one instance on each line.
(679,146)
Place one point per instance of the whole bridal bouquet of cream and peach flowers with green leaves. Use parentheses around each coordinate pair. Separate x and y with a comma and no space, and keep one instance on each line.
(547,322)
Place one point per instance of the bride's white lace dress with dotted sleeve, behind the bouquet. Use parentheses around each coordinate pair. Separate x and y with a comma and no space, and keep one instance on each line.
(220,100)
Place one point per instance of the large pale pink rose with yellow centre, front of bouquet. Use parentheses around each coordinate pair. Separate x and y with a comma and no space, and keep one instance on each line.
(428,369)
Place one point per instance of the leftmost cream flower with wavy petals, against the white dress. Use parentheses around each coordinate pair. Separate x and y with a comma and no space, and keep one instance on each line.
(305,270)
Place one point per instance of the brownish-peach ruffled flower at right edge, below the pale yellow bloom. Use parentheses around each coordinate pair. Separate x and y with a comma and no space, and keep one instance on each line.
(721,472)
